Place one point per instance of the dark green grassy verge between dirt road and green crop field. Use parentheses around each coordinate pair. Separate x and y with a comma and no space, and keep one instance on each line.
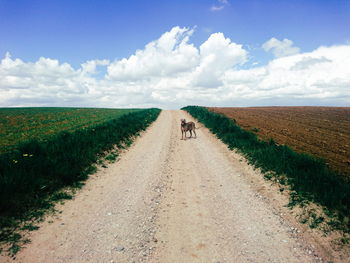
(32,174)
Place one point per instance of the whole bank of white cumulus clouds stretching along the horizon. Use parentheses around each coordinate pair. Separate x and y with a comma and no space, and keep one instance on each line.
(170,72)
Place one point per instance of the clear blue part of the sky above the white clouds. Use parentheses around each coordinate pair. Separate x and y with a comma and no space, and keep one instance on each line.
(76,31)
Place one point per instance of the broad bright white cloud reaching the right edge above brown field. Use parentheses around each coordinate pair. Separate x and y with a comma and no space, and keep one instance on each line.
(317,77)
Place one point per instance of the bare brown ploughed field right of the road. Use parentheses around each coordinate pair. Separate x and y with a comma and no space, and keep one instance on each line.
(321,131)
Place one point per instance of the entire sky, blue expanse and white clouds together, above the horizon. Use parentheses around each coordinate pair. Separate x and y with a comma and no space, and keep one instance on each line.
(170,54)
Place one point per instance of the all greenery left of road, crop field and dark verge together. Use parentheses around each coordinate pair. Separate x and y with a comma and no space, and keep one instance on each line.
(44,150)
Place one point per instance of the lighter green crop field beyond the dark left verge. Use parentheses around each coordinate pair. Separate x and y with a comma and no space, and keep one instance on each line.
(18,125)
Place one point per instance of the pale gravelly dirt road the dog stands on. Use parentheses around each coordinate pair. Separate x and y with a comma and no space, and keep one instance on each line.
(170,200)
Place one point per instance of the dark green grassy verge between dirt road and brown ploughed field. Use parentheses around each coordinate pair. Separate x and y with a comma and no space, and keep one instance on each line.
(308,178)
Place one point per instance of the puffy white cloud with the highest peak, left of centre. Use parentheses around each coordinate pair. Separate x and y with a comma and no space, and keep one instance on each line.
(170,54)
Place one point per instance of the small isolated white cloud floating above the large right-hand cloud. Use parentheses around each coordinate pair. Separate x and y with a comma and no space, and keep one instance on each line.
(280,48)
